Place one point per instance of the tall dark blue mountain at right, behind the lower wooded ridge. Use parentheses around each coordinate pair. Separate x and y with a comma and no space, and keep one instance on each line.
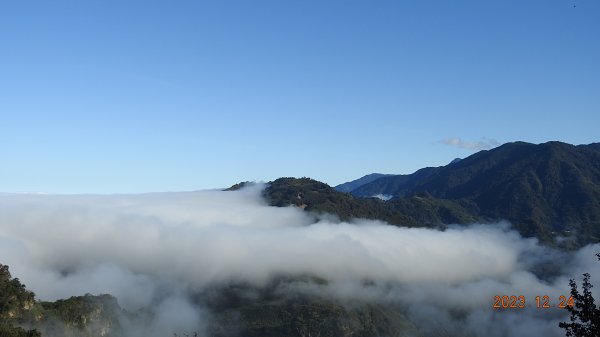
(545,190)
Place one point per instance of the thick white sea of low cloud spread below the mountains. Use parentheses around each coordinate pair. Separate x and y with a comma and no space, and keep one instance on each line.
(153,249)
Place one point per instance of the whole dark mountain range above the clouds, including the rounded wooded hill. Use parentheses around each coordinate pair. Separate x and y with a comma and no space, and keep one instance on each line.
(550,191)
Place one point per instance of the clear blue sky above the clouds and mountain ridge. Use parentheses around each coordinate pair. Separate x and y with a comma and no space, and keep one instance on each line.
(135,96)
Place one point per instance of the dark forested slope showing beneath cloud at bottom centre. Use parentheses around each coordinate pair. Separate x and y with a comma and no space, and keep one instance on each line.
(266,312)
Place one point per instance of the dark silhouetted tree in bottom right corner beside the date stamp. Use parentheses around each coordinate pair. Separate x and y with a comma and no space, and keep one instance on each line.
(585,315)
